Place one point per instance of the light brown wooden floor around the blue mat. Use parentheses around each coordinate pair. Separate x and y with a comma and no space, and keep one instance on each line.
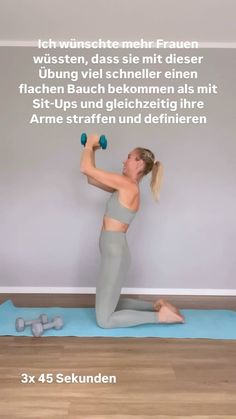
(156,378)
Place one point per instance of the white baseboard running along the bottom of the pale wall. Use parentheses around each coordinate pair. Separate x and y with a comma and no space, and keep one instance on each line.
(136,291)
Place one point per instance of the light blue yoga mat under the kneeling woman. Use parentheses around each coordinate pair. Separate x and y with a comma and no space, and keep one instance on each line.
(202,324)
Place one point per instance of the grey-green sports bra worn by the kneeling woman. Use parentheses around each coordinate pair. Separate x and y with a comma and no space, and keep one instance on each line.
(117,211)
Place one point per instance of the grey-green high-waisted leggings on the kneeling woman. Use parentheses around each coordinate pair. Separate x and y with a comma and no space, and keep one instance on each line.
(111,311)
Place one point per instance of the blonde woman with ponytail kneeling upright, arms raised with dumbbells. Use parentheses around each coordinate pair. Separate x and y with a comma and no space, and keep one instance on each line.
(123,204)
